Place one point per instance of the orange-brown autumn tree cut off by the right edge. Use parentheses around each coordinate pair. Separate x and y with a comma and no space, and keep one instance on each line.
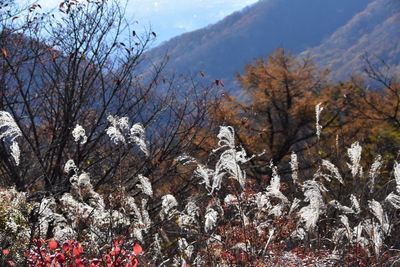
(375,101)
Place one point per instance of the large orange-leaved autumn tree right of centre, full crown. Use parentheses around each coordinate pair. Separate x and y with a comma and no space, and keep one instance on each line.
(278,113)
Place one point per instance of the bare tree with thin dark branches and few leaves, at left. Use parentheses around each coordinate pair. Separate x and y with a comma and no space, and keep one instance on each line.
(78,66)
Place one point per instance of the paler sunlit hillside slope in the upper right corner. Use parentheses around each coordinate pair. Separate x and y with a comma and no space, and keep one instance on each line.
(374,32)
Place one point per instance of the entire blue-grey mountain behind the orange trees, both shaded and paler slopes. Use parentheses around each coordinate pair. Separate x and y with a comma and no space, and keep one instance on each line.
(335,32)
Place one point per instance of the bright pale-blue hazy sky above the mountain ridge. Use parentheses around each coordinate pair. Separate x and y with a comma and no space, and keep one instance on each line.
(172,17)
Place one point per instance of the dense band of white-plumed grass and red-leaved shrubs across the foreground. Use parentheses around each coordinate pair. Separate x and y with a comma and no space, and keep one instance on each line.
(225,222)
